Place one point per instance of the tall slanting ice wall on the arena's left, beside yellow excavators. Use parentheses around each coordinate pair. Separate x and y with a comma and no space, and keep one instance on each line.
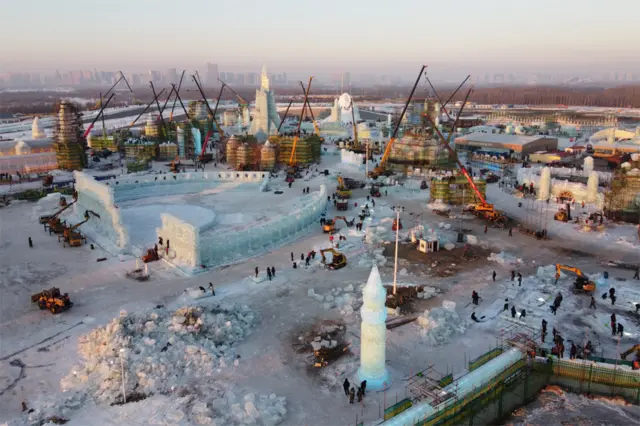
(97,197)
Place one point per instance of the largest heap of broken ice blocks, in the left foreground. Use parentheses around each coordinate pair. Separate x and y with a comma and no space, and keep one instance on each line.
(175,354)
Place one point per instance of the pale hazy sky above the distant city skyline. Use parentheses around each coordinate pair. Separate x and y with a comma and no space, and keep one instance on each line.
(376,36)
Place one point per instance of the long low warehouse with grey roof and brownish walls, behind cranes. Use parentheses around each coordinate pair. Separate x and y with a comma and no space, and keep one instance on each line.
(519,146)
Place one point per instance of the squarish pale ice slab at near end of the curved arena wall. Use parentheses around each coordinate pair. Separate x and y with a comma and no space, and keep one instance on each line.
(184,241)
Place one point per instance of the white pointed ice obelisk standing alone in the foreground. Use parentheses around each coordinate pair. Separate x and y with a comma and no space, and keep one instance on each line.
(373,334)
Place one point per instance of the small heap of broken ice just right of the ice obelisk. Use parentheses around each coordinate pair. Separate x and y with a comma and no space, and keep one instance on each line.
(441,325)
